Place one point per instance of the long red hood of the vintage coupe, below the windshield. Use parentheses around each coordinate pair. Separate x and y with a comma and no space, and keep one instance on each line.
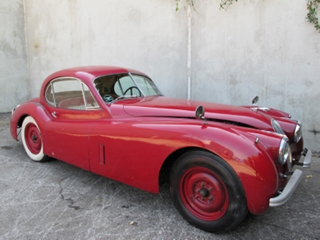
(171,107)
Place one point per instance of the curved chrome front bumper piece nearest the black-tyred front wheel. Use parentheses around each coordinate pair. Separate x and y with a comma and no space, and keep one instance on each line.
(288,190)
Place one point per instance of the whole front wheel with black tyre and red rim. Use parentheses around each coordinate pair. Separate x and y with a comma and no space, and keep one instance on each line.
(207,192)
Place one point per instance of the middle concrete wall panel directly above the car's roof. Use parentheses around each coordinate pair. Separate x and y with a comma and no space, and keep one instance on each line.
(145,35)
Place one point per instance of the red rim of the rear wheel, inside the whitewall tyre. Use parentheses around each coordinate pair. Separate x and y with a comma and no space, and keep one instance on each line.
(33,138)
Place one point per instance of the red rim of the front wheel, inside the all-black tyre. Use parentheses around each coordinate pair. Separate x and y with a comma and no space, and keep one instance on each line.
(204,194)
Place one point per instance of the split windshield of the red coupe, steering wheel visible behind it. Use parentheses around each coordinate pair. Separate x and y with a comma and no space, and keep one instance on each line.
(122,86)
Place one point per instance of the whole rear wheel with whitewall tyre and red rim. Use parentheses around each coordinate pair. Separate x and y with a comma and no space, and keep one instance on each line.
(32,139)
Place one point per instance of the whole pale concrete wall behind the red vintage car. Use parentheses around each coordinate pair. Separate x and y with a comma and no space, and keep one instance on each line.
(256,47)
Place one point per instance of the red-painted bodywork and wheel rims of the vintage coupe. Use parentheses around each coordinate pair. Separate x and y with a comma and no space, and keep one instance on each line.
(130,140)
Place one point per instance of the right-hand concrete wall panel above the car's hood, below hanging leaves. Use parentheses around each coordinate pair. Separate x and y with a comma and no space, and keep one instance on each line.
(263,48)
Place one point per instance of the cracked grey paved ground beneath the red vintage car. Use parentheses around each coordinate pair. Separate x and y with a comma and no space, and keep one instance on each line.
(54,200)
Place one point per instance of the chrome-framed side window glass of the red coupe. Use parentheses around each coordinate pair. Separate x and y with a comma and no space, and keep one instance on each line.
(70,94)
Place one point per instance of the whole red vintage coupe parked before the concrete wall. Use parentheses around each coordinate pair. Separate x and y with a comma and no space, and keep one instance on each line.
(221,161)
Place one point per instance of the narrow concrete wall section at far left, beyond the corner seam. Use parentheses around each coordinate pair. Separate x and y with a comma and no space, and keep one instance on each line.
(13,61)
